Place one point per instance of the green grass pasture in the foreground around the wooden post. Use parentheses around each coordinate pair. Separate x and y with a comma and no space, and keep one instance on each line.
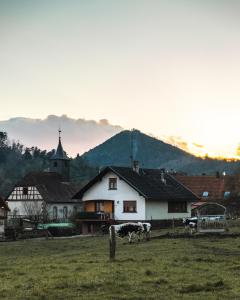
(203,268)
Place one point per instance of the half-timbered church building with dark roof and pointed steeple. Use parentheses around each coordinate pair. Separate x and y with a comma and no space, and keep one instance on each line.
(45,194)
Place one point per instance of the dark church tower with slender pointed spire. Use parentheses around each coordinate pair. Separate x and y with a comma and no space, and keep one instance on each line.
(59,162)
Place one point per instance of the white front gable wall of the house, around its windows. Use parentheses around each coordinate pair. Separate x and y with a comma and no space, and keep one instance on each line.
(100,191)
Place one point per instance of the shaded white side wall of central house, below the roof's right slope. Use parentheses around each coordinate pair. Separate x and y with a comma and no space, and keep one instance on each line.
(158,210)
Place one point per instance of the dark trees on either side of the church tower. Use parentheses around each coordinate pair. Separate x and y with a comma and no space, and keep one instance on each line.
(16,161)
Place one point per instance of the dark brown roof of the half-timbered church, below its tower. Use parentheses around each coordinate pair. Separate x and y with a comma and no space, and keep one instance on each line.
(50,186)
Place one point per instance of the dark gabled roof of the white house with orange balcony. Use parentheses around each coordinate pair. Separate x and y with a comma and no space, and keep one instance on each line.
(149,184)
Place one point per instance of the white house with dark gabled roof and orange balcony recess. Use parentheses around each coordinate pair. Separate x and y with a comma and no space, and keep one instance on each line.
(134,194)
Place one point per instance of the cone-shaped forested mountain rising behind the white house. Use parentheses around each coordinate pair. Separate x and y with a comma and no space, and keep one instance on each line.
(153,153)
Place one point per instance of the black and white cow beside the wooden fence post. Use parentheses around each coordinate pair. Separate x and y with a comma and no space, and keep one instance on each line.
(131,229)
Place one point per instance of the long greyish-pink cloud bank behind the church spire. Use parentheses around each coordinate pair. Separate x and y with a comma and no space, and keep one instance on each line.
(78,135)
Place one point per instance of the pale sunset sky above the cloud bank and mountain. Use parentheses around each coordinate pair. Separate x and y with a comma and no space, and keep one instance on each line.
(170,68)
